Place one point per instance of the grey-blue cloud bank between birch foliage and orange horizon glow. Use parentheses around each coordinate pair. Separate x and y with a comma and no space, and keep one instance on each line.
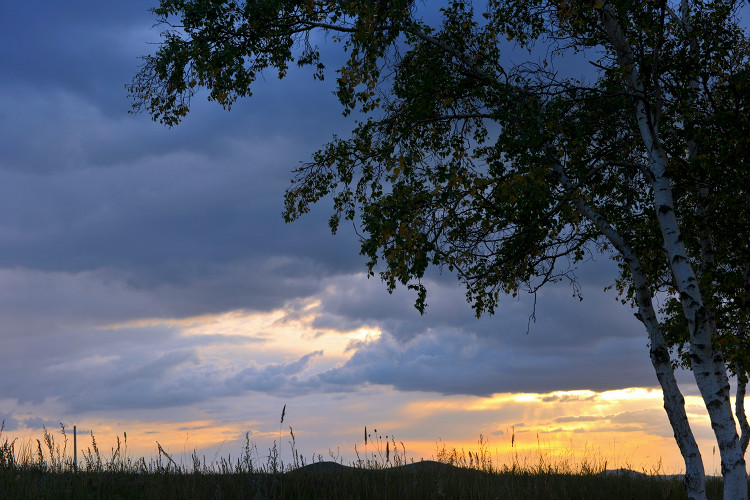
(594,344)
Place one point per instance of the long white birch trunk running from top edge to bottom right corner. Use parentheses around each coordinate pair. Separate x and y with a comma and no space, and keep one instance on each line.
(707,364)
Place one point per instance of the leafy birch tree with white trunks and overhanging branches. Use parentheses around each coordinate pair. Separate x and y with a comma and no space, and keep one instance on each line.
(477,149)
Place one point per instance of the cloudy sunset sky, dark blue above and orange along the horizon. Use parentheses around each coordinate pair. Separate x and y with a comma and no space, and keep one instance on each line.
(149,286)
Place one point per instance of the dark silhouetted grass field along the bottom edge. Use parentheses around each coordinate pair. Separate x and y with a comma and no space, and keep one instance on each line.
(47,471)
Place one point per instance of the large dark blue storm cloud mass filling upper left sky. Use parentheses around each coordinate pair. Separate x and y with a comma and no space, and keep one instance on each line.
(195,209)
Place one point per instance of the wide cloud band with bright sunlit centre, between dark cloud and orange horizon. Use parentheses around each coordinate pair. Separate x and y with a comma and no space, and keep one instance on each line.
(54,327)
